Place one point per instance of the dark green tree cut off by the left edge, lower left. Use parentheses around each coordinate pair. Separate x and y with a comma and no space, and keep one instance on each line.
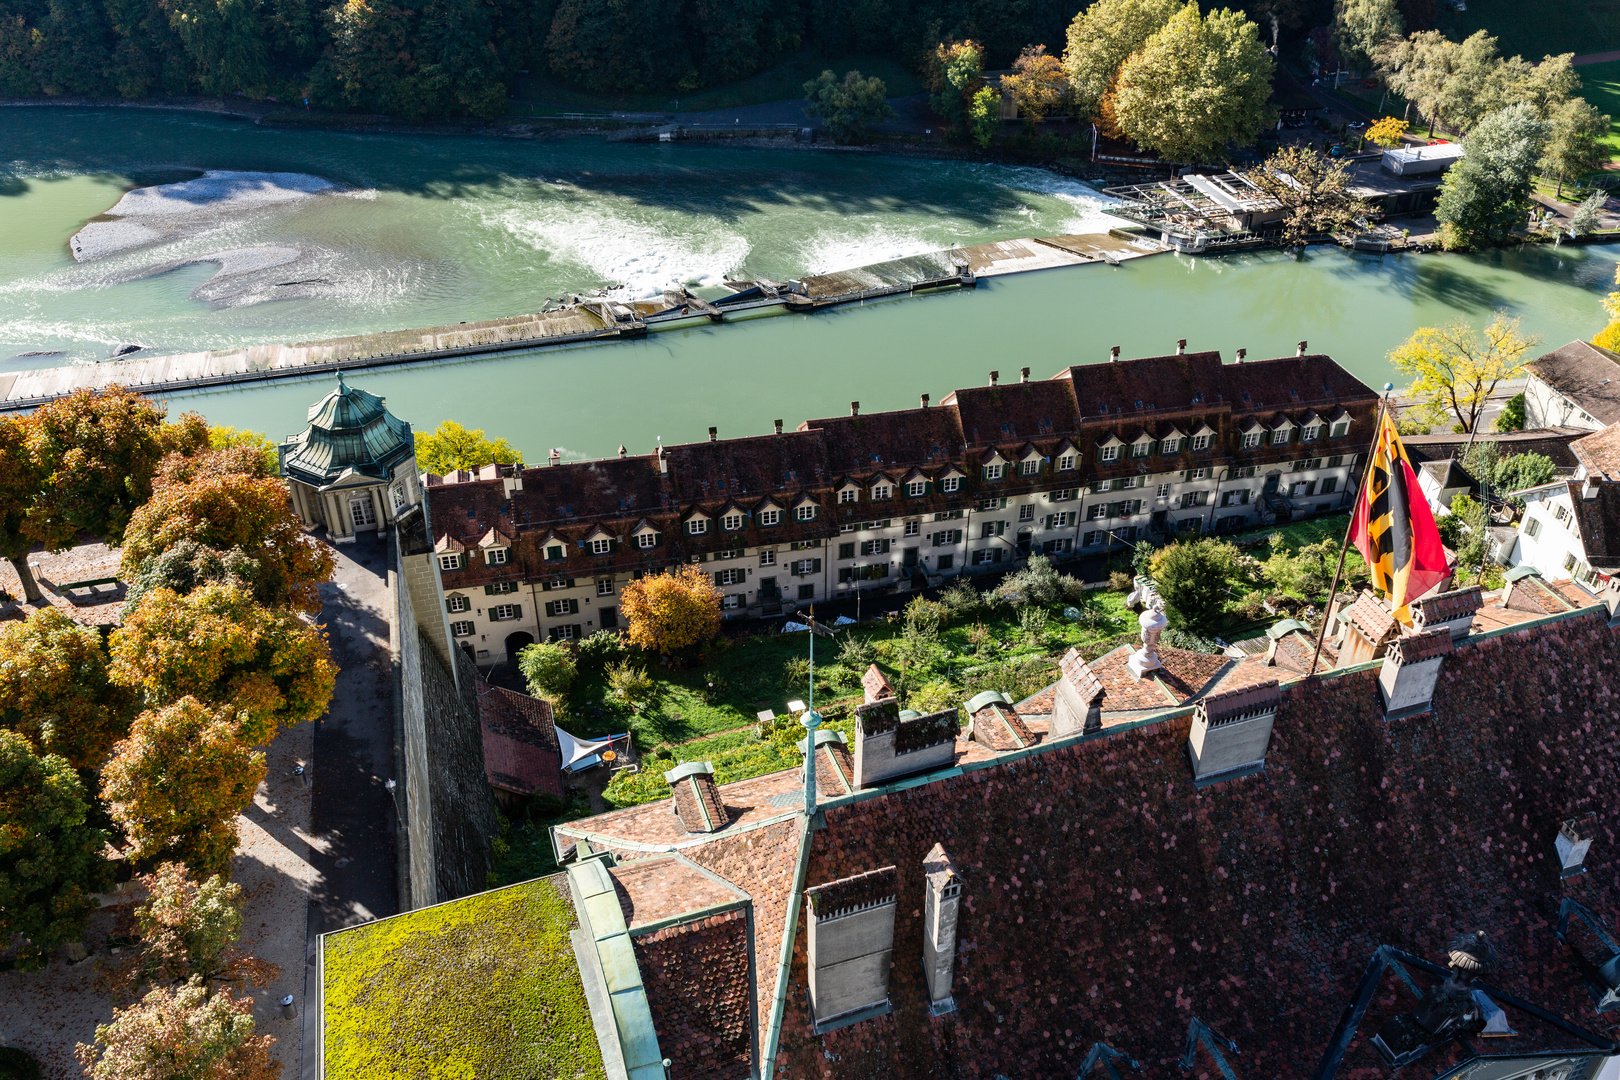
(51,859)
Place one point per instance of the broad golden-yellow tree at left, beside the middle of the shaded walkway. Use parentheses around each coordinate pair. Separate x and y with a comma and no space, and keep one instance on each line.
(223,647)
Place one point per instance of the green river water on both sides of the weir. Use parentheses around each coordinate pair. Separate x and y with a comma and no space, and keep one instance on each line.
(440,229)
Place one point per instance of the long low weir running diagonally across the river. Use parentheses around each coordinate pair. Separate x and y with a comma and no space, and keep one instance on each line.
(586,320)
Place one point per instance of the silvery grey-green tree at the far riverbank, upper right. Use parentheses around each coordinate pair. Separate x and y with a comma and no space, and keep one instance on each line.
(1486,195)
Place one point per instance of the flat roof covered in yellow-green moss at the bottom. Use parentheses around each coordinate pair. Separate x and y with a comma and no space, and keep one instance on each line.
(485,987)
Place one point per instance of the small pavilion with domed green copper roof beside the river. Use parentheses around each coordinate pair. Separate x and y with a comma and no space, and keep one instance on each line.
(354,469)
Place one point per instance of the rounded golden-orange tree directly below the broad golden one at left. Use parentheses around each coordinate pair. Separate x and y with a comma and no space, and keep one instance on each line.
(179,781)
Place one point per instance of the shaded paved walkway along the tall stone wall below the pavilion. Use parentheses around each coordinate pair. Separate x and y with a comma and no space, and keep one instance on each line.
(352,815)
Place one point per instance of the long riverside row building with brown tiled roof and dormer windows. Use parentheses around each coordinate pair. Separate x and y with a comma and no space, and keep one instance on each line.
(1096,457)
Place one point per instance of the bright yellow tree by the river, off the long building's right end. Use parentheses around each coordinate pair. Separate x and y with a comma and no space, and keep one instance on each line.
(1456,368)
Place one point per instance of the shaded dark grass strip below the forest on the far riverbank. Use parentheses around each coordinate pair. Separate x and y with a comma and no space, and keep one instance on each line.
(544,95)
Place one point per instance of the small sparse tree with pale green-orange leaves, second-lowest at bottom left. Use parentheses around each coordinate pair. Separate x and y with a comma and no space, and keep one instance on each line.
(187,929)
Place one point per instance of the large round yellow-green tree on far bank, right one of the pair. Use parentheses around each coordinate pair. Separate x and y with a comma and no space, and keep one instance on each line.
(1198,87)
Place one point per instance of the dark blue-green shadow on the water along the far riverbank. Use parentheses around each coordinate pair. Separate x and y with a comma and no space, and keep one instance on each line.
(712,181)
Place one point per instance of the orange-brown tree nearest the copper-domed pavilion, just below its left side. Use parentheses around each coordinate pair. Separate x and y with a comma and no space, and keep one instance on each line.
(223,501)
